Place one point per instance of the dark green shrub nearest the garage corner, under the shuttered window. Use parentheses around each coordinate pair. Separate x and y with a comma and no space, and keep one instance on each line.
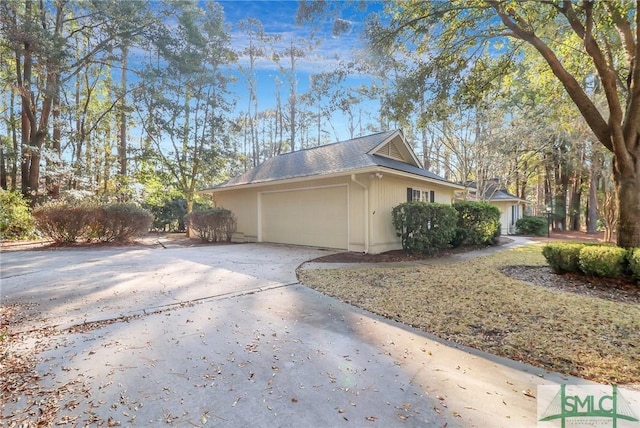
(425,228)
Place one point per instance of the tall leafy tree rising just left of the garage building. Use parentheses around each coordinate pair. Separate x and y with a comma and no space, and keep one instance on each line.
(182,105)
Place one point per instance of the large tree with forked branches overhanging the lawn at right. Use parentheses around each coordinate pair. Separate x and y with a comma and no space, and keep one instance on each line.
(453,33)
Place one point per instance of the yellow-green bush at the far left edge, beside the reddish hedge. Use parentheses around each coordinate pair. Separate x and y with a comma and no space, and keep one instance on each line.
(16,221)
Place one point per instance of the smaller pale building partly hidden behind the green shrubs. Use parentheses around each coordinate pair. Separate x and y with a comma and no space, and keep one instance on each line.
(511,207)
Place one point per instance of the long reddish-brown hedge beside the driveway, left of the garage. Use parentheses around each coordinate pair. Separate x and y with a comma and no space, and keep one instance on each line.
(66,222)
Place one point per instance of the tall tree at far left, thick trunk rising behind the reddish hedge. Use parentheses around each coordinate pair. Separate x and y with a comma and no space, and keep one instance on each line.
(41,36)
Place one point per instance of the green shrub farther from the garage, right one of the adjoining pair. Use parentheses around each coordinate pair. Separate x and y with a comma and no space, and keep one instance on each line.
(481,221)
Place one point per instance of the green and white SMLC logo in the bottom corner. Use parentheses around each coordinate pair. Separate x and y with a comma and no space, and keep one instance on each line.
(588,405)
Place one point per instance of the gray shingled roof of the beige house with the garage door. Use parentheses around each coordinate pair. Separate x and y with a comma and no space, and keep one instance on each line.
(345,156)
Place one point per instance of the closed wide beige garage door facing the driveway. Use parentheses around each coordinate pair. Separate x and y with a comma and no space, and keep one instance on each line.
(315,217)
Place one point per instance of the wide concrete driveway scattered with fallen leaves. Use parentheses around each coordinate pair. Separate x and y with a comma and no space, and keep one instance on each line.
(225,336)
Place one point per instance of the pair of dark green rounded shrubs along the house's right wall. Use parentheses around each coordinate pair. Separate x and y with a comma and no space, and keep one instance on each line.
(429,228)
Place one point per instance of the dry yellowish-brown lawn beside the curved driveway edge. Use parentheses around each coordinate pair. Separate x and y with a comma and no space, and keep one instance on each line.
(472,303)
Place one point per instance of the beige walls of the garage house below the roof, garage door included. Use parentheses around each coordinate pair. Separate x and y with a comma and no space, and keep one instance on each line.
(331,212)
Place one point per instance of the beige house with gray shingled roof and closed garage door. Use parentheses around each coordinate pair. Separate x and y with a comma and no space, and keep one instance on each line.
(336,196)
